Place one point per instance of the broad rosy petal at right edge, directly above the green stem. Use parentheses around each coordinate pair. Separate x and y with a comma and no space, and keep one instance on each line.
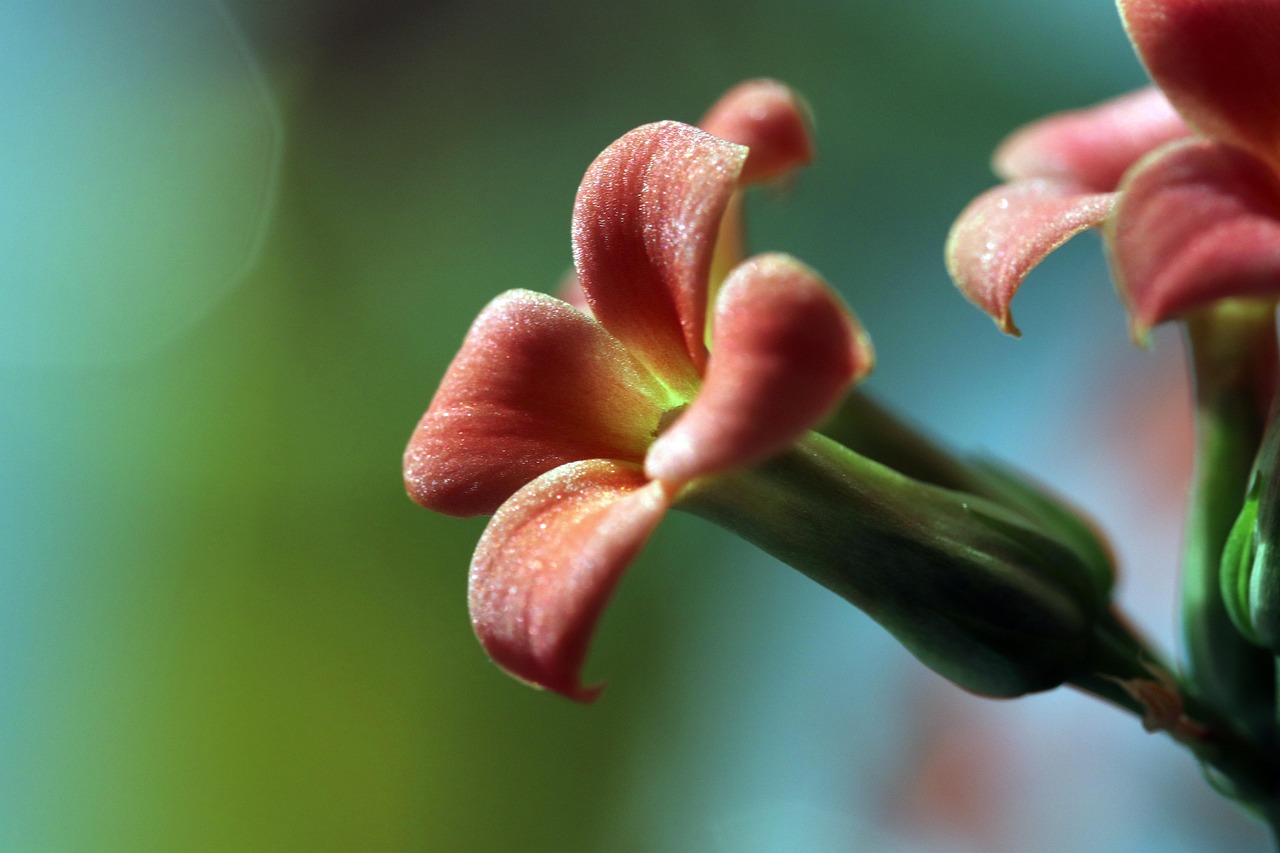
(1196,223)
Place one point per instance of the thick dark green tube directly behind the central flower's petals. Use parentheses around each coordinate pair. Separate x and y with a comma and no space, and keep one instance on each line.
(972,589)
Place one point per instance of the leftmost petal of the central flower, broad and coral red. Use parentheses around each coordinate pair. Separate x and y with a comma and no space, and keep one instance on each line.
(537,385)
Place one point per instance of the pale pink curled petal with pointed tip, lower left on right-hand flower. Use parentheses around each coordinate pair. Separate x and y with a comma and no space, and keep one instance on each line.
(1005,232)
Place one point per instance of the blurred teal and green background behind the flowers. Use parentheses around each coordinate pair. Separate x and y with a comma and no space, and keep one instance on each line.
(239,247)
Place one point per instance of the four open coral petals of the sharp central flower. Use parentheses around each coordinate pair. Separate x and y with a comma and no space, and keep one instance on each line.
(579,431)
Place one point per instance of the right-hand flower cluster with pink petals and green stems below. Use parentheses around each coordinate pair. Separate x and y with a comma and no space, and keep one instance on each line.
(1185,183)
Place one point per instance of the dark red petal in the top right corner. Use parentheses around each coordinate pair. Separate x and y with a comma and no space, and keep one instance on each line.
(1219,63)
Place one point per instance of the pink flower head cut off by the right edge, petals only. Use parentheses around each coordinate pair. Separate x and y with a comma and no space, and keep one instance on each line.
(1186,180)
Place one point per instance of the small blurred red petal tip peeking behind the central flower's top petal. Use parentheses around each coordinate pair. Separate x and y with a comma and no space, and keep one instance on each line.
(771,121)
